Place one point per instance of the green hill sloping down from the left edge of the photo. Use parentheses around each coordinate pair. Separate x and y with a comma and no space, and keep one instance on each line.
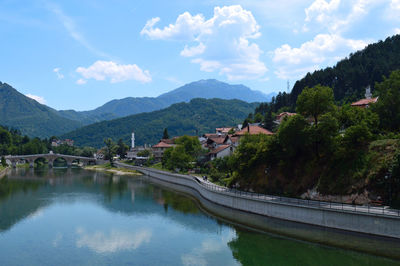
(30,117)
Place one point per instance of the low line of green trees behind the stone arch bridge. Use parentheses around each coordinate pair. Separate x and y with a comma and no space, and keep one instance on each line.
(12,142)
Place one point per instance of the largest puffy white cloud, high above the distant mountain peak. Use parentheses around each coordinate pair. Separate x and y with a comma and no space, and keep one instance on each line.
(220,43)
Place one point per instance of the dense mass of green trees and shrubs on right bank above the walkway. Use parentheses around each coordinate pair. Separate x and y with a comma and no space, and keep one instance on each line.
(333,149)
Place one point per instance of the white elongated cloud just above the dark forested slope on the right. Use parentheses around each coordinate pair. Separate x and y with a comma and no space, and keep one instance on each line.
(322,50)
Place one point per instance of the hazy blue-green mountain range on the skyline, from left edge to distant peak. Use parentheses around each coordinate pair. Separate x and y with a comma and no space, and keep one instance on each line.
(38,120)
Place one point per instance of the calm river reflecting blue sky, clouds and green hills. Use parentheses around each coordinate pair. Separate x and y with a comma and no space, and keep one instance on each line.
(78,217)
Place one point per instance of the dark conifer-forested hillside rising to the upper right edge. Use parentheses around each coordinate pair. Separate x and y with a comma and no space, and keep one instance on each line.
(350,76)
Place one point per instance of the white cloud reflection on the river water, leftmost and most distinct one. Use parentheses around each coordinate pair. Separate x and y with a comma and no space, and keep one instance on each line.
(115,241)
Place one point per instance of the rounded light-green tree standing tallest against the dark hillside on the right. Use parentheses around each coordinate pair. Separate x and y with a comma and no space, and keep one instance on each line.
(315,101)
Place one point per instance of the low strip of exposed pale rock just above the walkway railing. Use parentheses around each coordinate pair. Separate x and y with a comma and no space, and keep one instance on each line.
(356,198)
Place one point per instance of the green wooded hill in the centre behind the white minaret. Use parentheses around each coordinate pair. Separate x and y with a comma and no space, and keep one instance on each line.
(198,116)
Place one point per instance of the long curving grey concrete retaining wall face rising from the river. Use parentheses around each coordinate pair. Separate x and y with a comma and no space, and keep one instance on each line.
(346,220)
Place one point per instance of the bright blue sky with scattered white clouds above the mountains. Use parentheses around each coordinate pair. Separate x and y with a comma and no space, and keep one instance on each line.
(81,54)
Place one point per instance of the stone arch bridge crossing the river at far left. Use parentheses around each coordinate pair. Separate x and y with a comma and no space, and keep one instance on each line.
(50,157)
